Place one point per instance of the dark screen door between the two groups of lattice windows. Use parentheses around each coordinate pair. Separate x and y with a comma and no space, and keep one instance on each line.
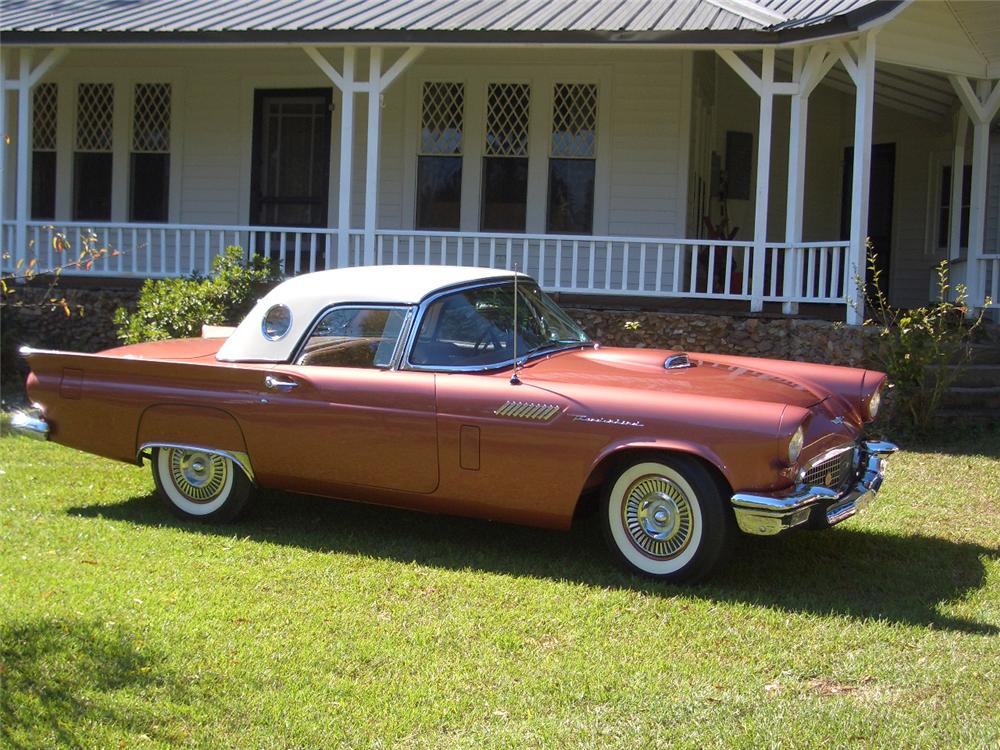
(290,177)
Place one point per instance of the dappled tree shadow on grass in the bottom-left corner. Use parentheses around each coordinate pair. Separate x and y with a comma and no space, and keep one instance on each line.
(62,676)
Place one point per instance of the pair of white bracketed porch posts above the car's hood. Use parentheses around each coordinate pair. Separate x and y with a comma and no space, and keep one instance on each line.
(809,66)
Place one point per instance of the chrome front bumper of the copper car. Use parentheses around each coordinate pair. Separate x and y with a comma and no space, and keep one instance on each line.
(768,514)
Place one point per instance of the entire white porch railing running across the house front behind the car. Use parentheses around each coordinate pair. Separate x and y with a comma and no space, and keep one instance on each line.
(608,266)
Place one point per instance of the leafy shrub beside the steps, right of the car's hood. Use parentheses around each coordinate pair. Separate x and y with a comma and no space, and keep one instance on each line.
(922,349)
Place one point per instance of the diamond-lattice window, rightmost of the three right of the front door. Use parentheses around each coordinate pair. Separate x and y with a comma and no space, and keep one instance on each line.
(572,159)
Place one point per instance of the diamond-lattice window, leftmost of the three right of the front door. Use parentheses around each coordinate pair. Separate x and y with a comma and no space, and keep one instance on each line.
(439,159)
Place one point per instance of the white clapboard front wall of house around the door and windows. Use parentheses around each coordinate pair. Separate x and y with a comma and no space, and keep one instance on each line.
(638,165)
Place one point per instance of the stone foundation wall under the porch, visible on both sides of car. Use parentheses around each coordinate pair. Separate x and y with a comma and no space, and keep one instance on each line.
(92,329)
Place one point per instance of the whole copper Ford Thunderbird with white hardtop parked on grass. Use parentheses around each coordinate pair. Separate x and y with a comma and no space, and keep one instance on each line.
(468,391)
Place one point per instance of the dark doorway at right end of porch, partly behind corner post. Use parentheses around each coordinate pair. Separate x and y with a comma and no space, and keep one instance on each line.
(880,193)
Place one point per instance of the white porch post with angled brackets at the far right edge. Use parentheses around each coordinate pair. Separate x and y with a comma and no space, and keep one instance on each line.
(981,106)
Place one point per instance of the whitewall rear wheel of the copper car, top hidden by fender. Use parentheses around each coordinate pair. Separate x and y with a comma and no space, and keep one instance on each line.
(200,485)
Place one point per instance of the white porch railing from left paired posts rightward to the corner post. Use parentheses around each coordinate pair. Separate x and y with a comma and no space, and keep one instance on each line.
(635,266)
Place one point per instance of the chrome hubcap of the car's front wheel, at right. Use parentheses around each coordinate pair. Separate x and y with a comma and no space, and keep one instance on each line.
(658,516)
